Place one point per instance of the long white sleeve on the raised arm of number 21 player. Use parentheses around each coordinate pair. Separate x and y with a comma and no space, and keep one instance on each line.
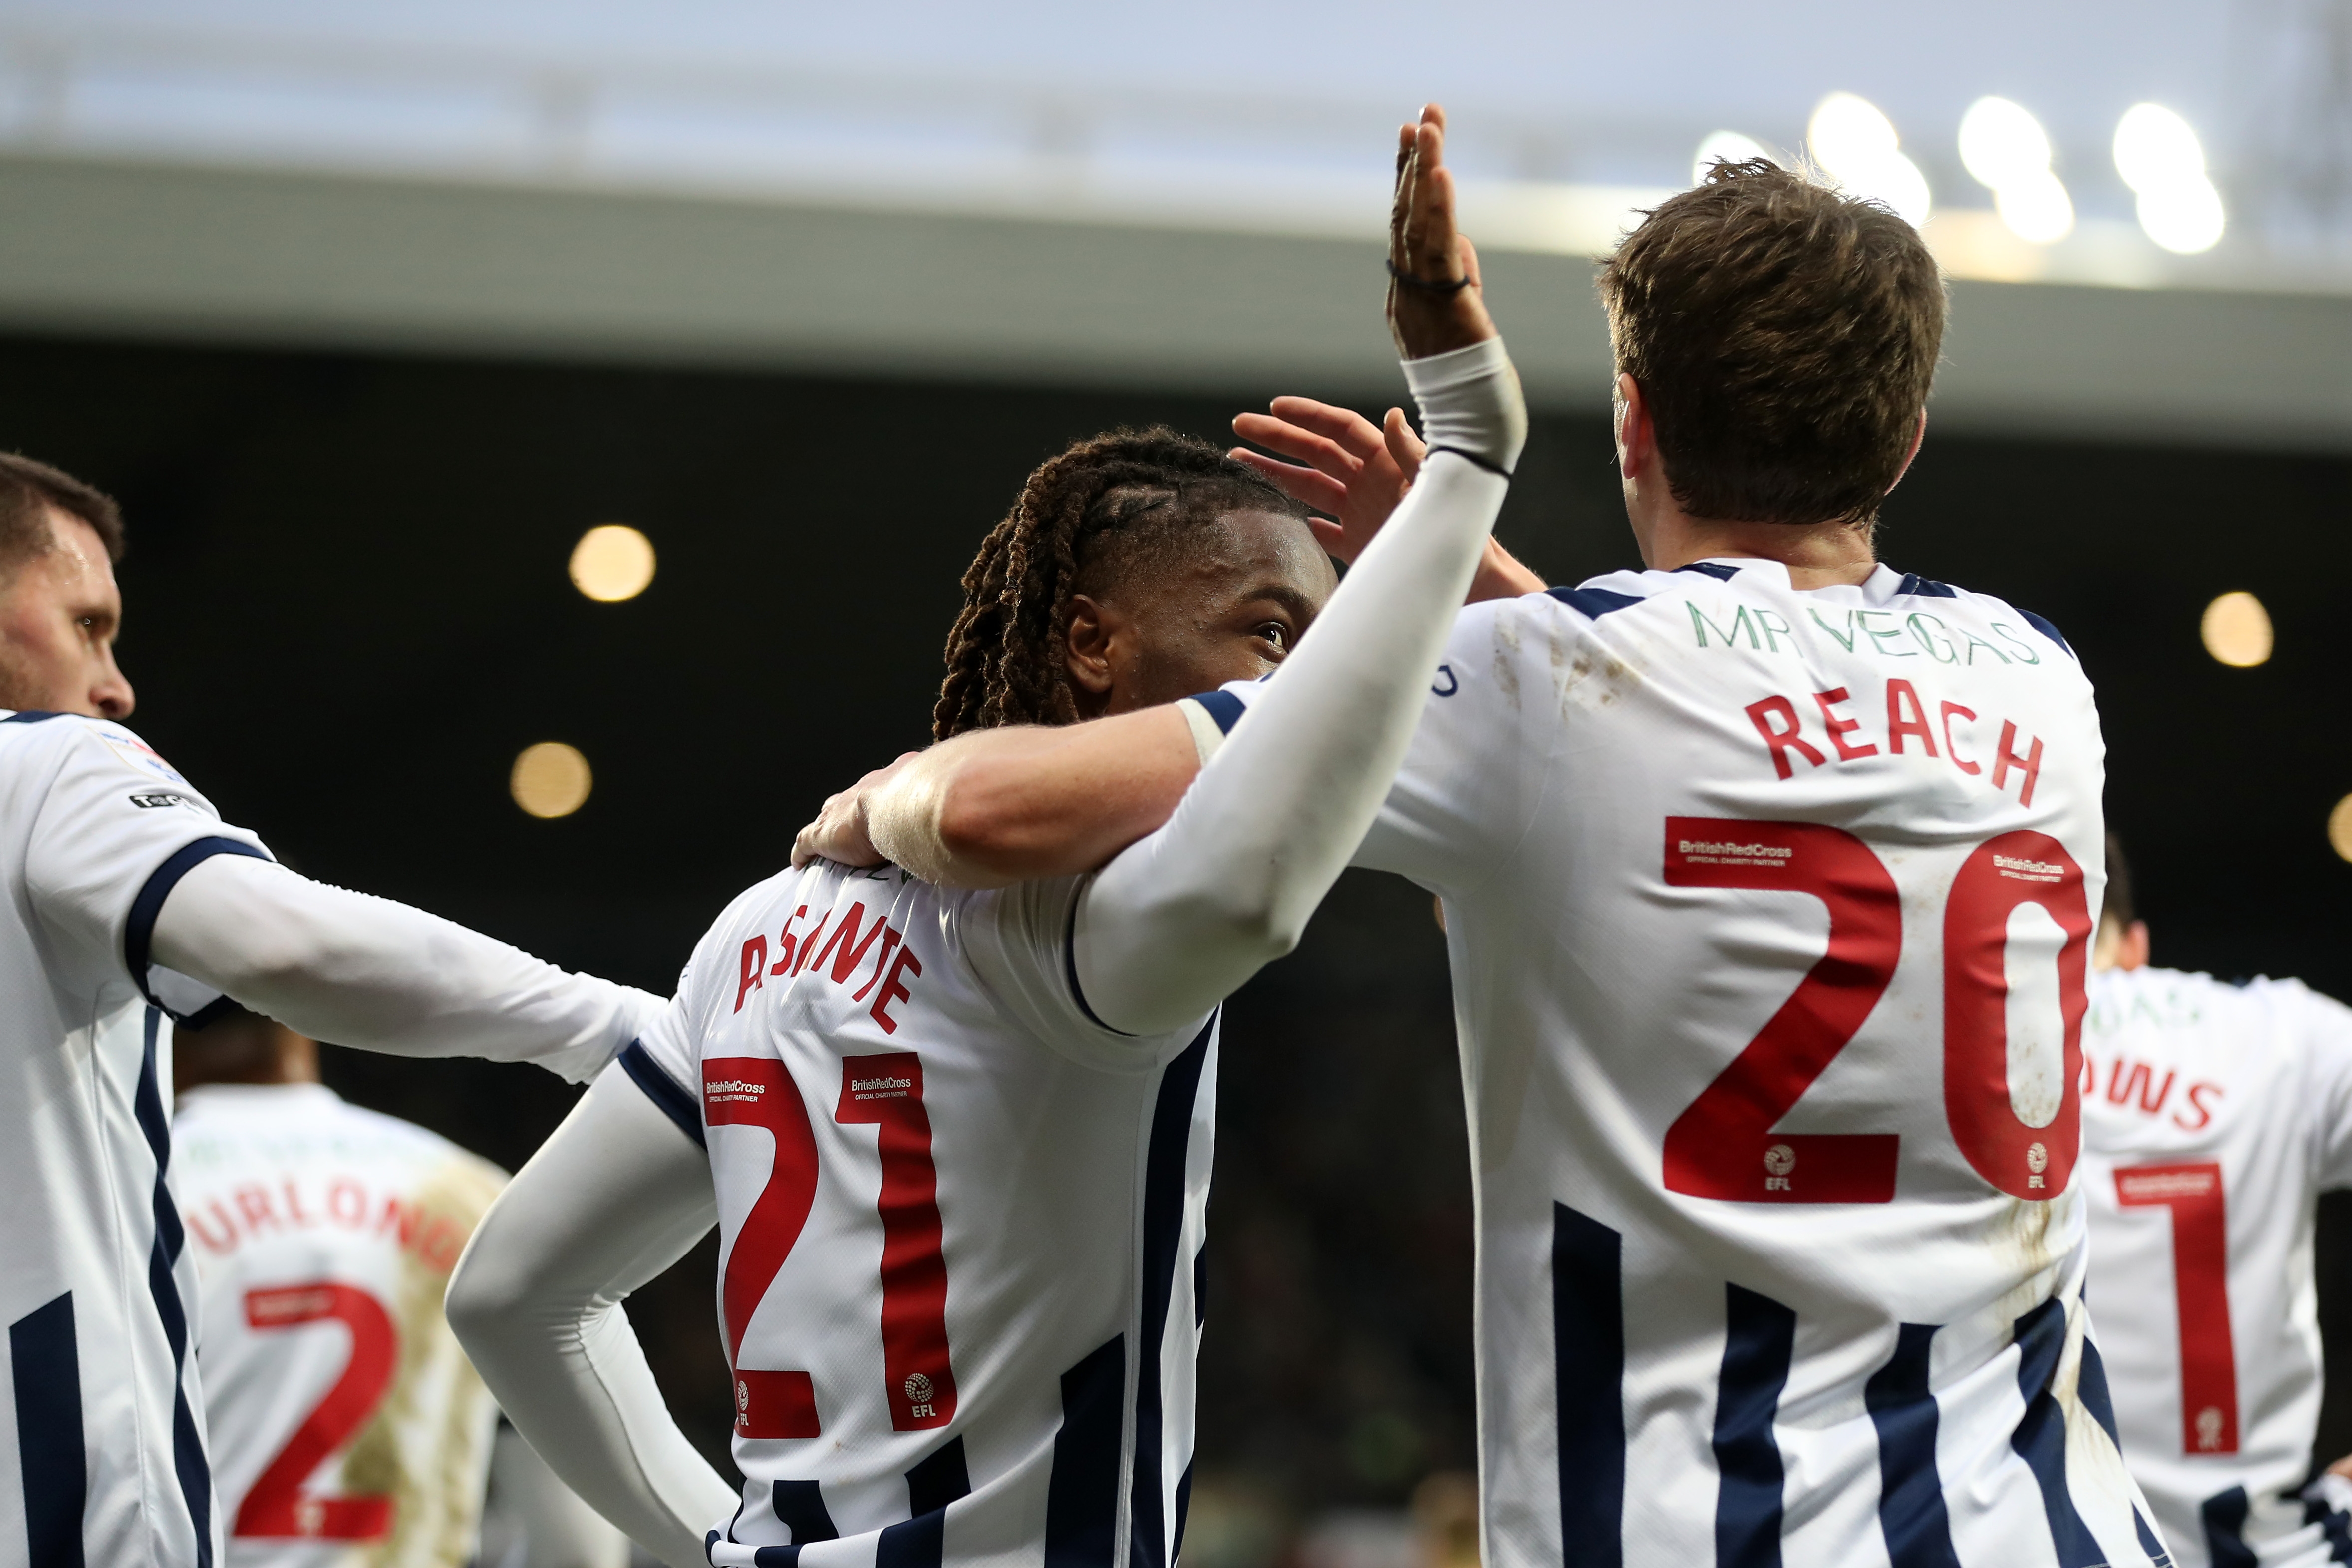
(1189,913)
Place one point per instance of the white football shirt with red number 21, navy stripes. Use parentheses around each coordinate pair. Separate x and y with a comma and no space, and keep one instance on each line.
(961,1228)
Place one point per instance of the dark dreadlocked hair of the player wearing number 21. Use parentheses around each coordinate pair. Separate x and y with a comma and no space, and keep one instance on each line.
(1118,492)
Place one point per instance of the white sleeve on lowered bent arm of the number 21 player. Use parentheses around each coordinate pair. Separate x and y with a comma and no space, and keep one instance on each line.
(606,1205)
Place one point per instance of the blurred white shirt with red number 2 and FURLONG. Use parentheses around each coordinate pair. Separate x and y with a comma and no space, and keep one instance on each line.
(347,1426)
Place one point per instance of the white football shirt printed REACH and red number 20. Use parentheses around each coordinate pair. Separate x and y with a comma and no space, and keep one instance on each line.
(1770,918)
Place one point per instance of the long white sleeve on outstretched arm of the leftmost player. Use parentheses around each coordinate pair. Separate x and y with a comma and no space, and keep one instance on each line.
(377,974)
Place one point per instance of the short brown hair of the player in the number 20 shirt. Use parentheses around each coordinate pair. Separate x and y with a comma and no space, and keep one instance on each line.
(1784,340)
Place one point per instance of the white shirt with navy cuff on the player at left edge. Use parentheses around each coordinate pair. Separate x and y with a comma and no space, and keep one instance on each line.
(102,1442)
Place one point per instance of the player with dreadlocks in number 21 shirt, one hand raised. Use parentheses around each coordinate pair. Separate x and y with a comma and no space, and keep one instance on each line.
(958,1141)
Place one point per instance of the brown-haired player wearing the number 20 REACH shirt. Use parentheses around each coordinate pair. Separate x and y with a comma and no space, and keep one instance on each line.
(1768,883)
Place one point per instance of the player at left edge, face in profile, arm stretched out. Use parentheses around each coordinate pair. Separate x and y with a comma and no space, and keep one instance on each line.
(131,906)
